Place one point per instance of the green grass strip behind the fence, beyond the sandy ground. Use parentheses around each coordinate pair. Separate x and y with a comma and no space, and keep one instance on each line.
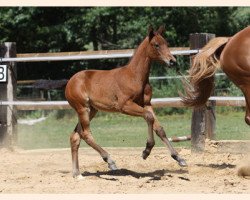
(116,130)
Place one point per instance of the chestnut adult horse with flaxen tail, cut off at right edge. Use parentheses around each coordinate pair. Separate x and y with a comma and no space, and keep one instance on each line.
(232,55)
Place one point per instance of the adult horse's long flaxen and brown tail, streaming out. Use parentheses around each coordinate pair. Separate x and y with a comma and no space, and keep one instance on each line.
(201,74)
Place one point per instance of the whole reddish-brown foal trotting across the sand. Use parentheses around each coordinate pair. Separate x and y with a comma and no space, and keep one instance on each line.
(125,90)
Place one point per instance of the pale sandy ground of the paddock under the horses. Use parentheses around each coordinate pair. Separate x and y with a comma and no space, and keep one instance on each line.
(49,171)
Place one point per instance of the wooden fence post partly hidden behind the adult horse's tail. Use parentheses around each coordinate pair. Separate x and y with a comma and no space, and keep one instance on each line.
(203,119)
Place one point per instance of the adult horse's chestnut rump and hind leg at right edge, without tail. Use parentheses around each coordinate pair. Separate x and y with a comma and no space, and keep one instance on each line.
(235,61)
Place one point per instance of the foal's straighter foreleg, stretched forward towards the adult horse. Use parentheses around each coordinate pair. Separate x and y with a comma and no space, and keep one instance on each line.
(161,133)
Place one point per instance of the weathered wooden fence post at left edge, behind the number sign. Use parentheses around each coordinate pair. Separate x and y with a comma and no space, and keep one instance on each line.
(8,119)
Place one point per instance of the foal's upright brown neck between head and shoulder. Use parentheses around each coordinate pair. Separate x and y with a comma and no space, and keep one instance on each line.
(140,63)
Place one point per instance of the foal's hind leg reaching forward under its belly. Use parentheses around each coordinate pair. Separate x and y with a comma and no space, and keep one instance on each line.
(85,134)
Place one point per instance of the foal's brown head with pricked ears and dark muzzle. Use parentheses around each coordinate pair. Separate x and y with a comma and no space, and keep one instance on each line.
(158,47)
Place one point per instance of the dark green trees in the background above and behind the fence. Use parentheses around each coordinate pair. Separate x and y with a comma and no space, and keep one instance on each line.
(54,29)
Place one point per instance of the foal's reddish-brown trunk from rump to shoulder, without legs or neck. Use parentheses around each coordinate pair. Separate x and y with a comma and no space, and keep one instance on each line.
(101,89)
